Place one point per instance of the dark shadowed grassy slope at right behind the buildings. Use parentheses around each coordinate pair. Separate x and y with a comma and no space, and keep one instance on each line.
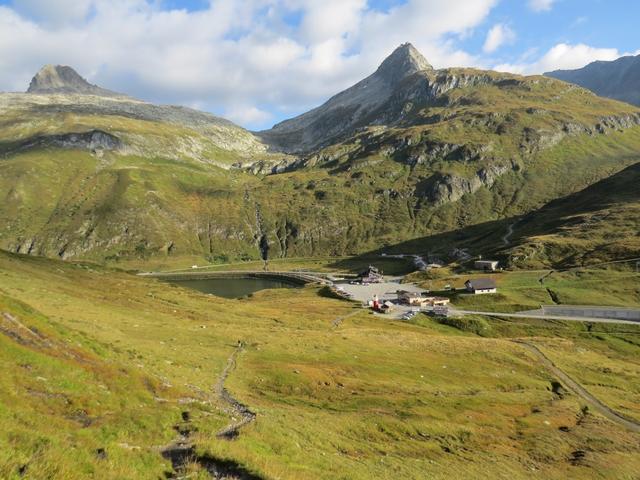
(595,225)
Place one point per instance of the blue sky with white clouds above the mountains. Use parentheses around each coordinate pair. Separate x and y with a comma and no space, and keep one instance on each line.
(258,62)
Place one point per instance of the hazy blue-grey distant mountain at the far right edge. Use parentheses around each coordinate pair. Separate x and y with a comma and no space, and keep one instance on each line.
(618,79)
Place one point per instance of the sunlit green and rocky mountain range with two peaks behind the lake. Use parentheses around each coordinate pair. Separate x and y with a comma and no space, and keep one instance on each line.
(408,152)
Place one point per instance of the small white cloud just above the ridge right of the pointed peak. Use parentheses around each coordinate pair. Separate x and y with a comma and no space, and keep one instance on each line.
(563,56)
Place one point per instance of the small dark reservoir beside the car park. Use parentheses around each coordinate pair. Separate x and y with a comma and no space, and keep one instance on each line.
(234,287)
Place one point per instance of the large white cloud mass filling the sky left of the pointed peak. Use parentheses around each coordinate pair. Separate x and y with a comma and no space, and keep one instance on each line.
(232,55)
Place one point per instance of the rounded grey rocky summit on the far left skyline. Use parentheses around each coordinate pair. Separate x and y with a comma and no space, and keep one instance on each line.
(64,79)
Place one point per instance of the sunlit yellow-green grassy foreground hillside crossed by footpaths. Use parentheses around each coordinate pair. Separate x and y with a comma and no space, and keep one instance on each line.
(105,365)
